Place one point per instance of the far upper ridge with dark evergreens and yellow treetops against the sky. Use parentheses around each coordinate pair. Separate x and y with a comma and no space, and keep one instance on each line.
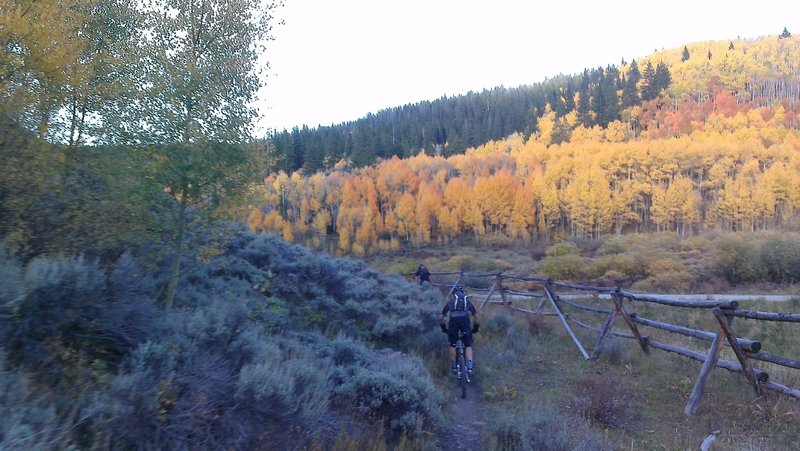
(761,71)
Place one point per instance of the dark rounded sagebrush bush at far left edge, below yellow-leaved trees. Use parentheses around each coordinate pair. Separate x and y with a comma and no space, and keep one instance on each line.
(71,312)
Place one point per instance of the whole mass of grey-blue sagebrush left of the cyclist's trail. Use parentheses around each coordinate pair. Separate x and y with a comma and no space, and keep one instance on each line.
(241,362)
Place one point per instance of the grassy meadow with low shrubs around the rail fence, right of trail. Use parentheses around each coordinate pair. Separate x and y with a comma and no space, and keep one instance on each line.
(535,390)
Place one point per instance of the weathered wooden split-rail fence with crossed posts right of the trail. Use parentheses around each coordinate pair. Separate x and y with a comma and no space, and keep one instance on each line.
(723,313)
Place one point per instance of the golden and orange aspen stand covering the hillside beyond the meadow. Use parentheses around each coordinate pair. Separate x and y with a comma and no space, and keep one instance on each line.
(719,148)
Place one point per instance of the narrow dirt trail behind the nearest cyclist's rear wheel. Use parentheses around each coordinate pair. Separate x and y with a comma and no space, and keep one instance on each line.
(465,424)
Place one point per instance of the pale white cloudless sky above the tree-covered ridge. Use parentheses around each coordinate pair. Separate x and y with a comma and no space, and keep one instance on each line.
(337,60)
